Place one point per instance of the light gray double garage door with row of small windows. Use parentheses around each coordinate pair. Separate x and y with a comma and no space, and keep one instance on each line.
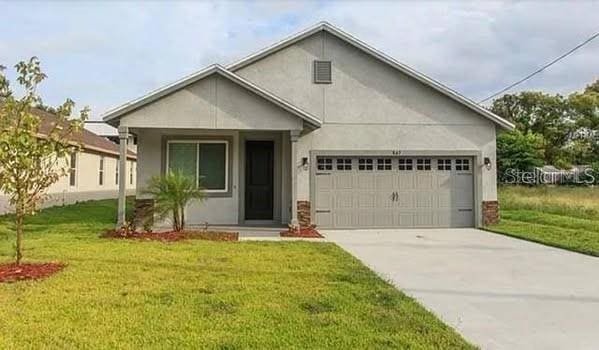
(393,192)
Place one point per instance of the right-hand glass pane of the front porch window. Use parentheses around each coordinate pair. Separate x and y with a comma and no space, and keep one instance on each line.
(212,165)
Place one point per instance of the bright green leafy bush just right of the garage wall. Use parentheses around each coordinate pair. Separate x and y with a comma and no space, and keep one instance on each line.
(516,150)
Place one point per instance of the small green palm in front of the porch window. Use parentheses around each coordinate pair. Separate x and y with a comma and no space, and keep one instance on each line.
(172,192)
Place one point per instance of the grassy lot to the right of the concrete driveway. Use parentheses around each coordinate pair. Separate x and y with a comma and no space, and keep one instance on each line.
(564,217)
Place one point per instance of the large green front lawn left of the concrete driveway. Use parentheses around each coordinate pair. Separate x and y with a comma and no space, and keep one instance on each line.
(200,294)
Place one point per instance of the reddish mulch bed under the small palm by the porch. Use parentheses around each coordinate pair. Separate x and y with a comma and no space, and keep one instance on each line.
(172,236)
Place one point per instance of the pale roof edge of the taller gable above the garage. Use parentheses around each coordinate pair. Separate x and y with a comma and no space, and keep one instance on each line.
(348,38)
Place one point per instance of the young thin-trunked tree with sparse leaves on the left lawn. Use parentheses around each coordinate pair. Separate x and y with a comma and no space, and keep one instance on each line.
(33,151)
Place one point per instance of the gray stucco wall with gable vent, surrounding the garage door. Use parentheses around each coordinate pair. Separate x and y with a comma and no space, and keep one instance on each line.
(371,106)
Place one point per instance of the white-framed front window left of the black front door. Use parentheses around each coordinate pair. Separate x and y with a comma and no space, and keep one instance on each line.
(204,161)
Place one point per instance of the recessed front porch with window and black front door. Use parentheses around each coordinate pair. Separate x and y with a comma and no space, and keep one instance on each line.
(248,175)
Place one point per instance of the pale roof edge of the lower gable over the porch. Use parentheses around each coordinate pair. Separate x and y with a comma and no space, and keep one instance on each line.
(116,113)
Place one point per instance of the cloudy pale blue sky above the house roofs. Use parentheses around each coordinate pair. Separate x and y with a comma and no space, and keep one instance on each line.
(102,54)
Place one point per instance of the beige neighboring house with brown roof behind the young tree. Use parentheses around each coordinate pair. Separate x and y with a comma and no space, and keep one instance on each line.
(93,172)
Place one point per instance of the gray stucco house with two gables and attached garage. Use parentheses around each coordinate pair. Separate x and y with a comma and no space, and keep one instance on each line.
(319,128)
